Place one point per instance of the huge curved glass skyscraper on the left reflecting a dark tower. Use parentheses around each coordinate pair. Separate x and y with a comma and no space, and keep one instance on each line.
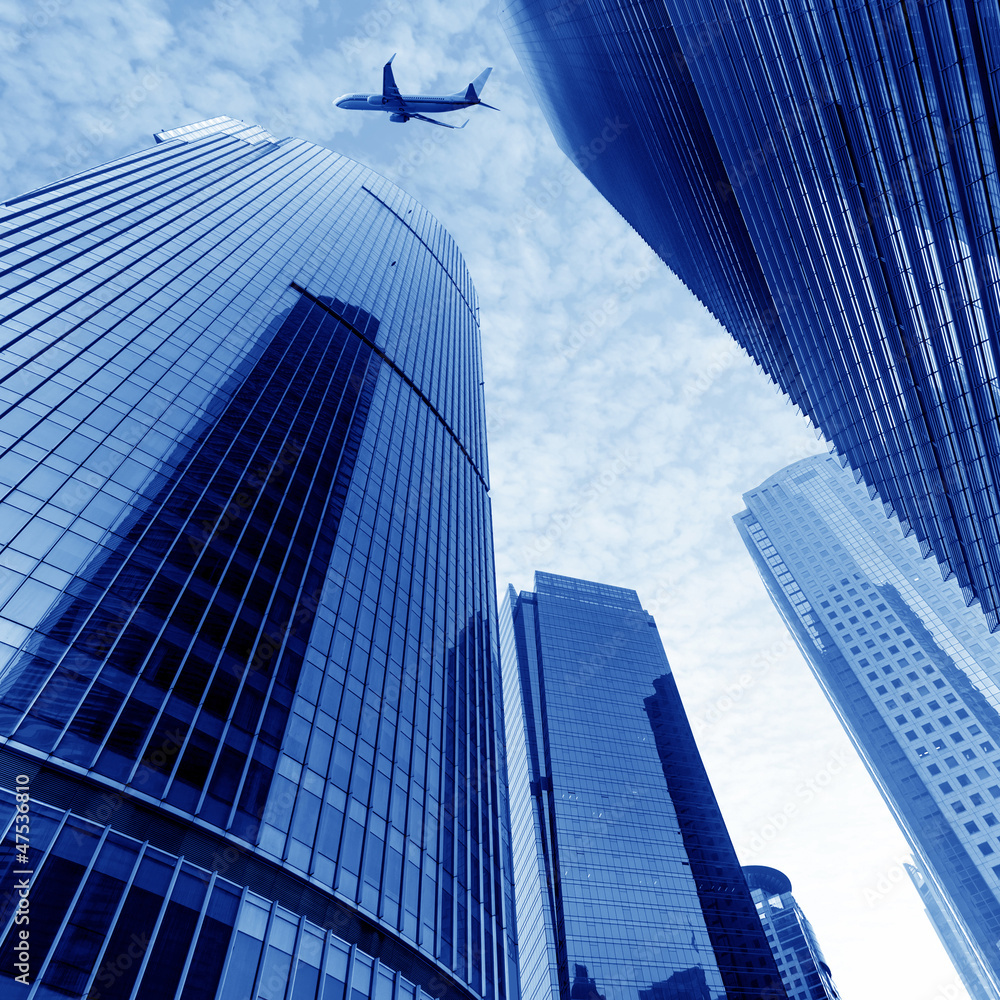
(250,681)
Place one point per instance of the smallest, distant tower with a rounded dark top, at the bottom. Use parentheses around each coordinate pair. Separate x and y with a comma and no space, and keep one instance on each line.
(800,960)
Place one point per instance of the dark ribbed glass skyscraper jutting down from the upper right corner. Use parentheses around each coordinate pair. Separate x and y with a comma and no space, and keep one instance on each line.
(822,178)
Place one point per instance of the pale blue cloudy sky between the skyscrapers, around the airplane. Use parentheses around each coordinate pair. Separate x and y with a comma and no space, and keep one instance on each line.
(624,424)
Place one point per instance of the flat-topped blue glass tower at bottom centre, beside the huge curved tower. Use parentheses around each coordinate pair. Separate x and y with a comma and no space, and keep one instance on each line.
(627,885)
